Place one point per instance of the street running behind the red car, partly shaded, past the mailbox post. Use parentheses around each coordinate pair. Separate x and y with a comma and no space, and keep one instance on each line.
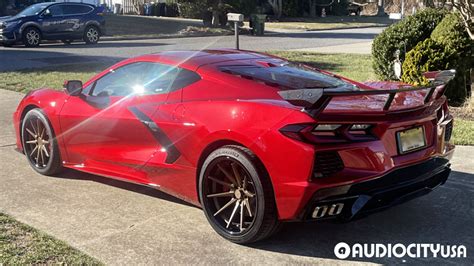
(349,41)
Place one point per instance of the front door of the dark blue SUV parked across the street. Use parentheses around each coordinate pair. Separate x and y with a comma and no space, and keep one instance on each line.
(52,21)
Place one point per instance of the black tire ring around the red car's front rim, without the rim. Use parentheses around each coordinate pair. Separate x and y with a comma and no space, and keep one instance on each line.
(55,161)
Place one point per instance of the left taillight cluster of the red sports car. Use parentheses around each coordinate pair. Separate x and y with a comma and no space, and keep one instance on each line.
(329,133)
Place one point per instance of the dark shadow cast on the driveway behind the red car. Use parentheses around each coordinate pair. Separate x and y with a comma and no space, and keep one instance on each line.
(444,216)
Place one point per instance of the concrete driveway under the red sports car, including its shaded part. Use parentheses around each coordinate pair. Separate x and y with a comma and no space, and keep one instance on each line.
(120,223)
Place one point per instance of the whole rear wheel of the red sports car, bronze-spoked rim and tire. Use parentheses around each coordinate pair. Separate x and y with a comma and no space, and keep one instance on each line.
(251,199)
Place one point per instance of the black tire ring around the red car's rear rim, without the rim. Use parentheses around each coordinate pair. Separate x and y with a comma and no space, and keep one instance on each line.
(241,157)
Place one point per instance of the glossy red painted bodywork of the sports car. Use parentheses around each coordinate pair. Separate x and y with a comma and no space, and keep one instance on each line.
(221,109)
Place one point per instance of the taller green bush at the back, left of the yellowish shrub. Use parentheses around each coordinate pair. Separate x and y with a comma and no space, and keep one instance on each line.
(410,30)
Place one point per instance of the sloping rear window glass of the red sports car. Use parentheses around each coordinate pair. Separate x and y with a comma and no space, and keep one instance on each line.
(289,75)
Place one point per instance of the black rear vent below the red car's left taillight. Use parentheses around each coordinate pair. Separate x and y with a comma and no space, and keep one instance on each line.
(327,164)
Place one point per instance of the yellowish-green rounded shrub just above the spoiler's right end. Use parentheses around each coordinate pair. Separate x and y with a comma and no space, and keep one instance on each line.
(429,55)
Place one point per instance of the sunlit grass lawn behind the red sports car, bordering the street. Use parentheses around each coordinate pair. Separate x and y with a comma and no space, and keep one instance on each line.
(354,66)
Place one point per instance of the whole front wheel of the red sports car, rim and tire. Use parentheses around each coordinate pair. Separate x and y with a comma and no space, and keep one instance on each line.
(39,143)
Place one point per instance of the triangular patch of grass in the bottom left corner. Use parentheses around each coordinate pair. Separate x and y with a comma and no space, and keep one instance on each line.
(21,244)
